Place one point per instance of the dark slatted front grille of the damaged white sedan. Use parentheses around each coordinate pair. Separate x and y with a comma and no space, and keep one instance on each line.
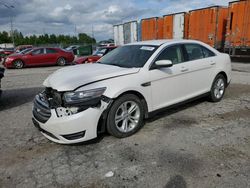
(41,109)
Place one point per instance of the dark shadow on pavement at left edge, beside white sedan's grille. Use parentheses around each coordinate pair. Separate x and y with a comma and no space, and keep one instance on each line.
(16,97)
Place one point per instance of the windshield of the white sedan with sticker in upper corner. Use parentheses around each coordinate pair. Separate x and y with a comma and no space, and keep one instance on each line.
(129,56)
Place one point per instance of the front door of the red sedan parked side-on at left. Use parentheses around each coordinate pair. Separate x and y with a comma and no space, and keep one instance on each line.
(36,57)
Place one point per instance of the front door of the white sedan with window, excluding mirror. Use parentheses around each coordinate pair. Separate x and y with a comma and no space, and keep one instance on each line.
(168,85)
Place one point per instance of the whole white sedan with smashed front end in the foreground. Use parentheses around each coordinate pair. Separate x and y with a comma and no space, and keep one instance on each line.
(126,86)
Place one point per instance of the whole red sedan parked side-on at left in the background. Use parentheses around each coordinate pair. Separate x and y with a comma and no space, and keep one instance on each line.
(39,57)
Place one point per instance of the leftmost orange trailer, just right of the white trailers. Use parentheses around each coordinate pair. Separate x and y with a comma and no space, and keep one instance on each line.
(151,28)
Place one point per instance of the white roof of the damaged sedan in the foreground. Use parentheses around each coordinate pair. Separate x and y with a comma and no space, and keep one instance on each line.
(161,42)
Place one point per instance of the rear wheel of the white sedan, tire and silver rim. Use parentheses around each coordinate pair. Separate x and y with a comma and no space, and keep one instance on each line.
(218,88)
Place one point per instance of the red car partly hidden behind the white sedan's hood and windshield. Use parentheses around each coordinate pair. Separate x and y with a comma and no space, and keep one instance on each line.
(101,51)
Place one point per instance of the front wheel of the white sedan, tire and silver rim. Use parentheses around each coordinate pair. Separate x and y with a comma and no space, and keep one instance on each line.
(125,116)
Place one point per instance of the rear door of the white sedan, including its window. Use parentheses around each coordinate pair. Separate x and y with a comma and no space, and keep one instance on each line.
(200,66)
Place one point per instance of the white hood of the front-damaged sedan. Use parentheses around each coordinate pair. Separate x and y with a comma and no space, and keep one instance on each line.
(70,78)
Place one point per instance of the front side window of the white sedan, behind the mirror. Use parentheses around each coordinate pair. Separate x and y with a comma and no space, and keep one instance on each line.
(173,53)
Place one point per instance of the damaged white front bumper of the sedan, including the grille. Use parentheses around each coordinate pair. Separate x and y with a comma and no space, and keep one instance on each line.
(67,125)
